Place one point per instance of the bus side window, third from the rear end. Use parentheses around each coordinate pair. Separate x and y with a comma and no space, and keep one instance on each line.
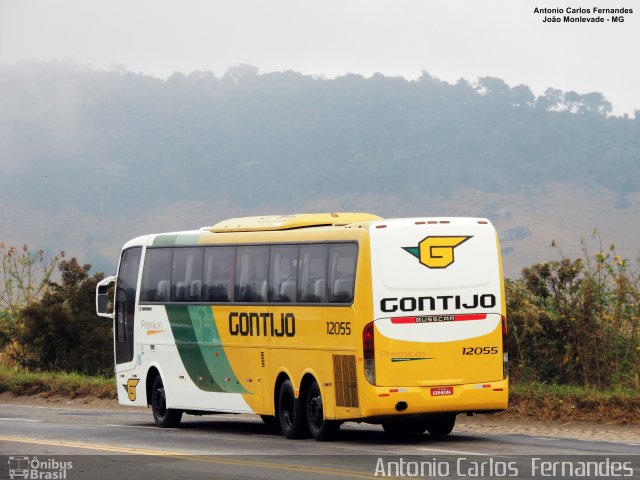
(283,274)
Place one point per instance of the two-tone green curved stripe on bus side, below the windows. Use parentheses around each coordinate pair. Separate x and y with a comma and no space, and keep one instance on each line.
(200,348)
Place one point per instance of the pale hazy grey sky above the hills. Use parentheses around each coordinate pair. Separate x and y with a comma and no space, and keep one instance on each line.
(447,38)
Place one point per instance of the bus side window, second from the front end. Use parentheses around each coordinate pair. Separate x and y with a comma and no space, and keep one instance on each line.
(186,274)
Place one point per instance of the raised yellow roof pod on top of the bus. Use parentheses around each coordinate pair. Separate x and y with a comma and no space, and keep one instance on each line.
(288,222)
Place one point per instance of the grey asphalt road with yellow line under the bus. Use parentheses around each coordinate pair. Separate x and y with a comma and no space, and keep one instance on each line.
(125,444)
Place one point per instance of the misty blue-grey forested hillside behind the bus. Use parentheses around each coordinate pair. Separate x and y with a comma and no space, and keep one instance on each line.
(99,157)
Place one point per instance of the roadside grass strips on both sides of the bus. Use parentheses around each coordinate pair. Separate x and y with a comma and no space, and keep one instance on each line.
(535,401)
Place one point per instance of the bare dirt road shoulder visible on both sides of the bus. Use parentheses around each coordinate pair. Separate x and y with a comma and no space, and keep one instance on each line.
(496,424)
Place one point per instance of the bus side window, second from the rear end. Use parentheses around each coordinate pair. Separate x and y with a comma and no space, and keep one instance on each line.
(312,277)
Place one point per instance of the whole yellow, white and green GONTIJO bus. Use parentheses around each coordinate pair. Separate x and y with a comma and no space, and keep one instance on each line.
(313,320)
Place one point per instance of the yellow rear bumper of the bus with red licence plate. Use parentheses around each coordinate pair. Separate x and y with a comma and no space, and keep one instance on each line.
(385,401)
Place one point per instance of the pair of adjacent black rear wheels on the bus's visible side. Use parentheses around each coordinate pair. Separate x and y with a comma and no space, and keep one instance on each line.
(304,415)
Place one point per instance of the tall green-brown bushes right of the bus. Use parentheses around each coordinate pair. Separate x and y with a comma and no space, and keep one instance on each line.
(576,322)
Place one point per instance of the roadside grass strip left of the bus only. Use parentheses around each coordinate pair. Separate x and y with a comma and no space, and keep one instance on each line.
(48,384)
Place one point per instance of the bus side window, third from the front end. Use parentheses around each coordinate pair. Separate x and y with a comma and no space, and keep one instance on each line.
(219,266)
